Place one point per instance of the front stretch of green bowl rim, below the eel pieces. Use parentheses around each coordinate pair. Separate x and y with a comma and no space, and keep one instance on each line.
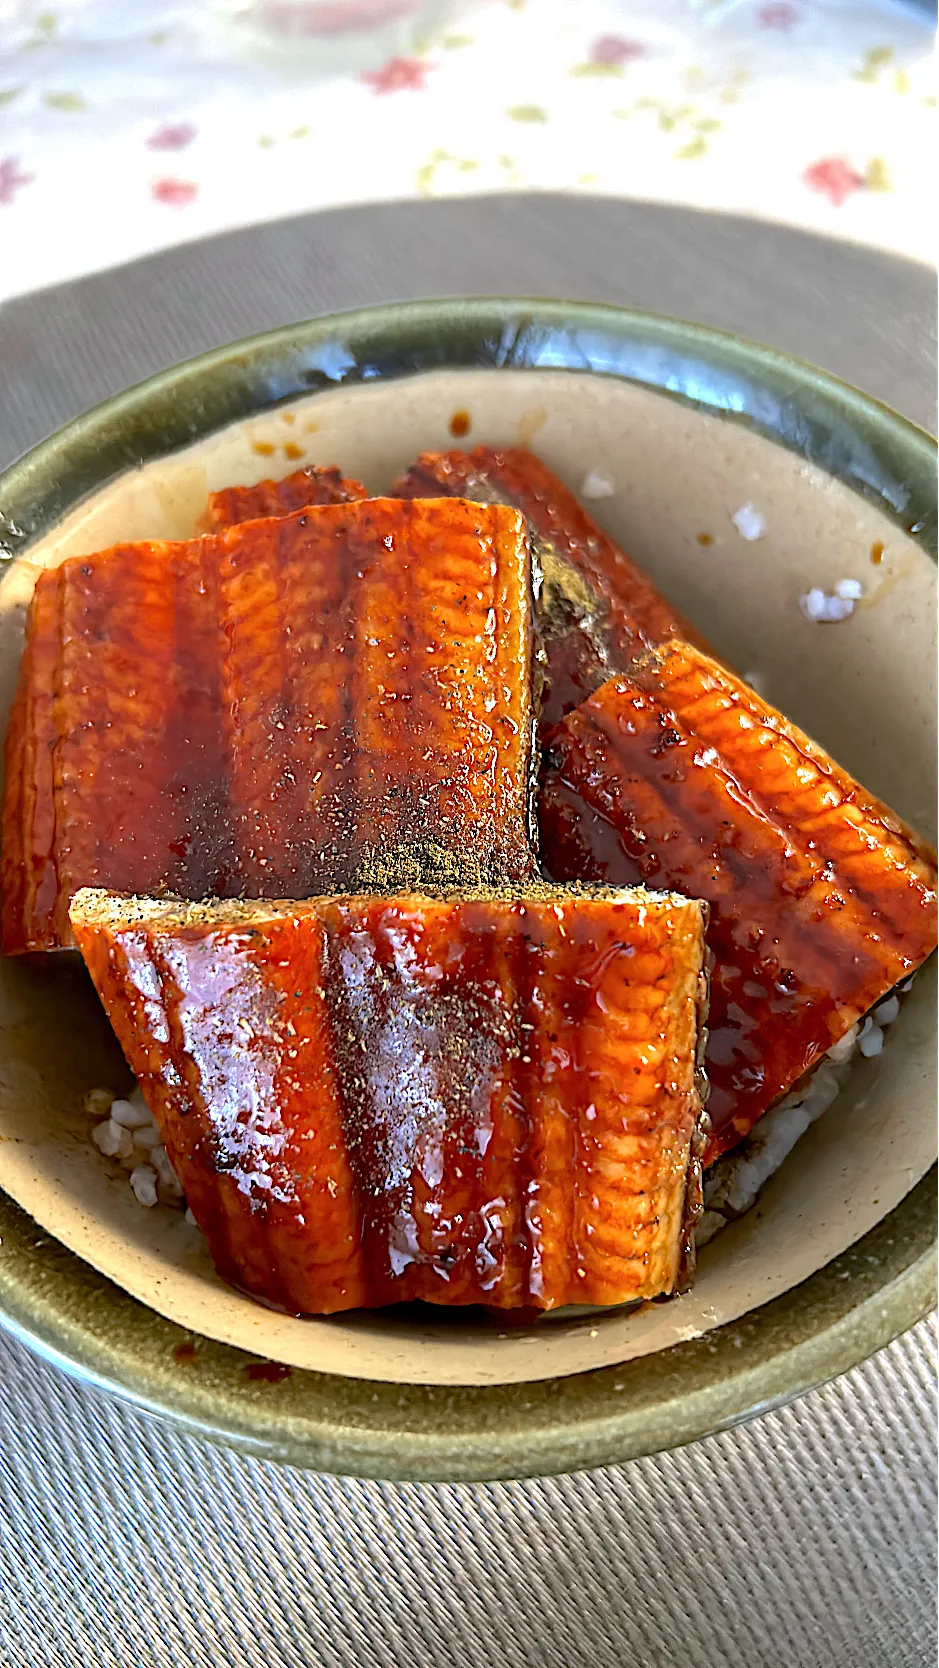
(821,1329)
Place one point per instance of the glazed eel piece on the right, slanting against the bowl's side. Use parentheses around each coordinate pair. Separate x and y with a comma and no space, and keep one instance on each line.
(820,898)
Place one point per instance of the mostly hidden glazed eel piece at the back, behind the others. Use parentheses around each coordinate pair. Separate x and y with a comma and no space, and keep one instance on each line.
(600,608)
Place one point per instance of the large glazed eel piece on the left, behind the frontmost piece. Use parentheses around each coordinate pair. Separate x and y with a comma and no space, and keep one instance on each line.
(339,700)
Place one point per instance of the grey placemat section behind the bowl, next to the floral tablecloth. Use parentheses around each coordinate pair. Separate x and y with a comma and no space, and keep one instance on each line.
(863,314)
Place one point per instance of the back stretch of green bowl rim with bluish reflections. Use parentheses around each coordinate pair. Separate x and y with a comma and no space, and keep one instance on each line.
(825,420)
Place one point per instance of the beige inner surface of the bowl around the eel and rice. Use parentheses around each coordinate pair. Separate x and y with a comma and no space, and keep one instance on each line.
(865,688)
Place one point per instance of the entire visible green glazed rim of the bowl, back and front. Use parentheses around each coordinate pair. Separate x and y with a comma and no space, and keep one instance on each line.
(76,1319)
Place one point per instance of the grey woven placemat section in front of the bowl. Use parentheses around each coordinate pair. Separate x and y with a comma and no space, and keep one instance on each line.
(803,1540)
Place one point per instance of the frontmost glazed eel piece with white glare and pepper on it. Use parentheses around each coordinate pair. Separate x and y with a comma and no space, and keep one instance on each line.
(478,1098)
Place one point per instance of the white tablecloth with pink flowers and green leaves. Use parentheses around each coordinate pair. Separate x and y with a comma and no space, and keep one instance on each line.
(128,126)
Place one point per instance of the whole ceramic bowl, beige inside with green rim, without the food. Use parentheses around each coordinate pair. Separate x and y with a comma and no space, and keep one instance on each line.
(686,428)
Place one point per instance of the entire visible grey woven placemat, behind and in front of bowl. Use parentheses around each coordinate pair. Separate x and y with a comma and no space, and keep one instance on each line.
(805,1540)
